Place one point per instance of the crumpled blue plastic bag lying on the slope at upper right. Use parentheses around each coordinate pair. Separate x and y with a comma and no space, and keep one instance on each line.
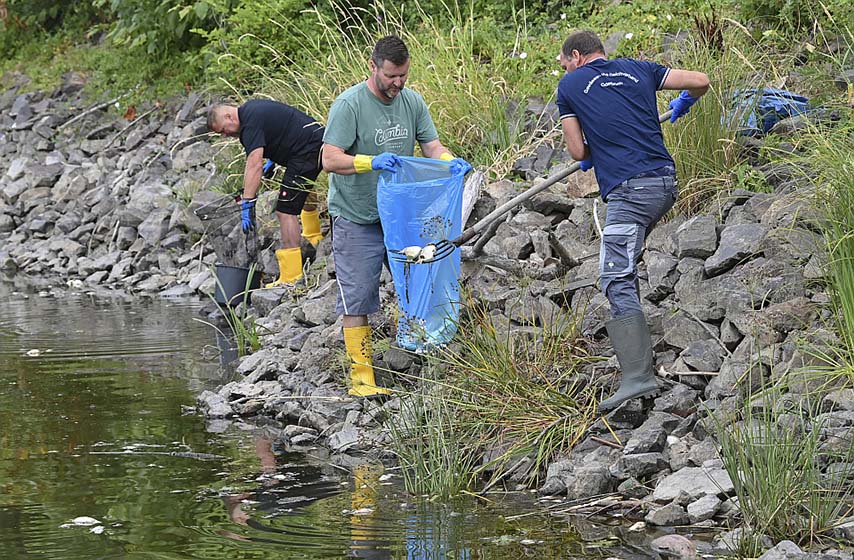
(755,111)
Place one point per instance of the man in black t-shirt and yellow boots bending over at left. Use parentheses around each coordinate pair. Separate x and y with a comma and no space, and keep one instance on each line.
(290,138)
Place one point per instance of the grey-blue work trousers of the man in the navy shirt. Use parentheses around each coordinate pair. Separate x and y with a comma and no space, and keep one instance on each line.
(634,207)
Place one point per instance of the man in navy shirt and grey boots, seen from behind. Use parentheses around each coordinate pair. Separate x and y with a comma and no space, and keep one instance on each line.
(610,122)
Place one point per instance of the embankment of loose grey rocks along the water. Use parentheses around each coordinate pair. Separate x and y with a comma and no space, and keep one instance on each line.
(96,200)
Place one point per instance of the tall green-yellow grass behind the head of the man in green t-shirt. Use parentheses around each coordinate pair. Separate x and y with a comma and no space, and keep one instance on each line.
(467,72)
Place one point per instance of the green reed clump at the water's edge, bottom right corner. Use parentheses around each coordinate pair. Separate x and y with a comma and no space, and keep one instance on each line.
(790,483)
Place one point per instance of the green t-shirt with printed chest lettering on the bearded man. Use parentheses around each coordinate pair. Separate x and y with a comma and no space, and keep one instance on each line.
(359,123)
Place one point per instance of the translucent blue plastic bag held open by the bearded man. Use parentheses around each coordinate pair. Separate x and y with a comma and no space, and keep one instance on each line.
(421,203)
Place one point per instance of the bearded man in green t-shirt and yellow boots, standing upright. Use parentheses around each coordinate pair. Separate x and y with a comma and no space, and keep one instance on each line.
(369,125)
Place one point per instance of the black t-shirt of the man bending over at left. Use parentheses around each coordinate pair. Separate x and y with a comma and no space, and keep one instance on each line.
(283,132)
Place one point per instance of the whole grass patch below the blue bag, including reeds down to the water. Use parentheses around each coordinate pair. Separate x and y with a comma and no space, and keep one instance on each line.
(514,395)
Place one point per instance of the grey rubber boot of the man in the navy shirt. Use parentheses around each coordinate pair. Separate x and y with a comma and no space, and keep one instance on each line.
(633,346)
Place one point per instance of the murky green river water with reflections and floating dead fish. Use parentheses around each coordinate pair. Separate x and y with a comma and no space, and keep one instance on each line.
(103,456)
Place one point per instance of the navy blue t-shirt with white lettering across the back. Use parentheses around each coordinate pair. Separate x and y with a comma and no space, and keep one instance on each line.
(614,101)
